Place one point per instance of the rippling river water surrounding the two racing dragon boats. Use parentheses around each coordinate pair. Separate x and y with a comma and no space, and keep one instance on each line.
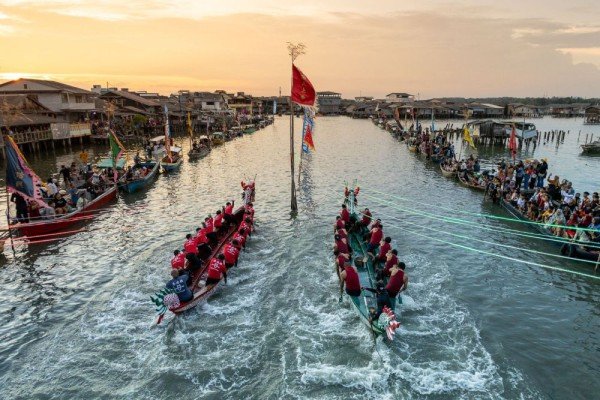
(79,322)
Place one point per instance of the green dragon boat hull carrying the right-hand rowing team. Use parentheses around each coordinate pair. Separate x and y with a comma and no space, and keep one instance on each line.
(385,324)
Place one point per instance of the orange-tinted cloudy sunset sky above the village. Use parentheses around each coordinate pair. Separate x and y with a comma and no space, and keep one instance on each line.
(429,48)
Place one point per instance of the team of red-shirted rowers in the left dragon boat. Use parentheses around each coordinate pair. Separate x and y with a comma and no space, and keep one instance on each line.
(198,248)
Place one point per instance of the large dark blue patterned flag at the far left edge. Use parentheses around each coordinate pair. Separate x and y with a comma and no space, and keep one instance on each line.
(20,178)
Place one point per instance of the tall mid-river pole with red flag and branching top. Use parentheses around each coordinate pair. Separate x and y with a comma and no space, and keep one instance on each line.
(302,93)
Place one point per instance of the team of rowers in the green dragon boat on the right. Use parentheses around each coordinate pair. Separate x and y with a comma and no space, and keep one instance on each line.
(390,271)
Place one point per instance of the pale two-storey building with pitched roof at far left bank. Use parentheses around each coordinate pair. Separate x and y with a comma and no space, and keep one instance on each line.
(69,103)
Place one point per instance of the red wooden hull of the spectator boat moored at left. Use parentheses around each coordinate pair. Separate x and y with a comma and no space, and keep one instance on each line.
(62,222)
